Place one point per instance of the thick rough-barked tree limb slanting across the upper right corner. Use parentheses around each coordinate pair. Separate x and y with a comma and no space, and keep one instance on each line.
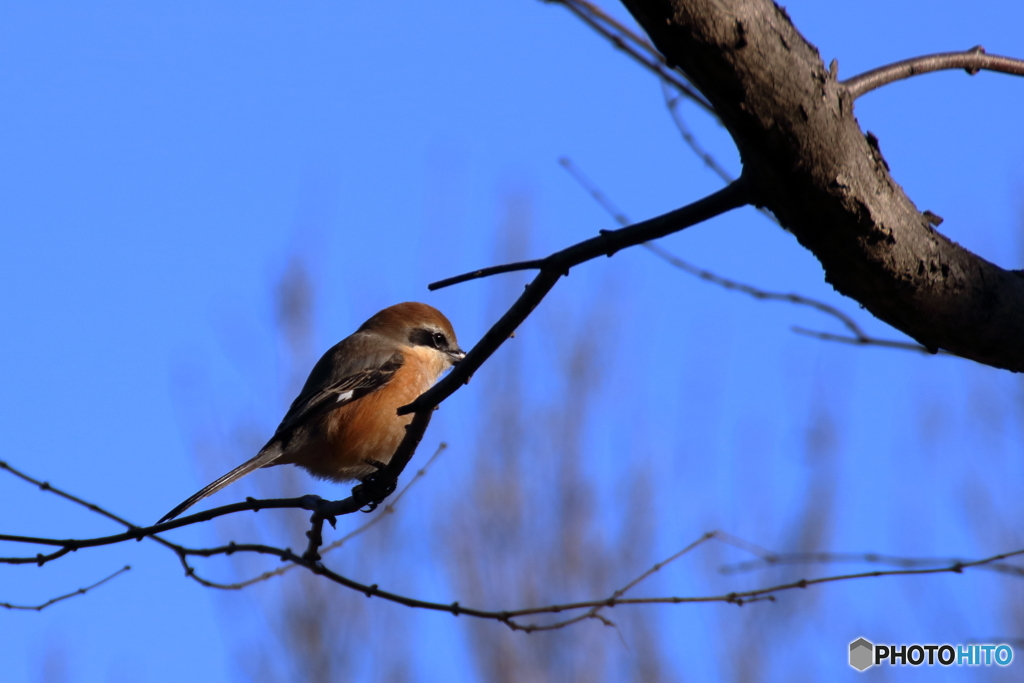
(806,159)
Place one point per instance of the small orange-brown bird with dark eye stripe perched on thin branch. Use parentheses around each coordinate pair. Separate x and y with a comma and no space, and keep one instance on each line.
(345,424)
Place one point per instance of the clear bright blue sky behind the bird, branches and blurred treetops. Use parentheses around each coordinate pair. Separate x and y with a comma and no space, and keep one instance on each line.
(161,165)
